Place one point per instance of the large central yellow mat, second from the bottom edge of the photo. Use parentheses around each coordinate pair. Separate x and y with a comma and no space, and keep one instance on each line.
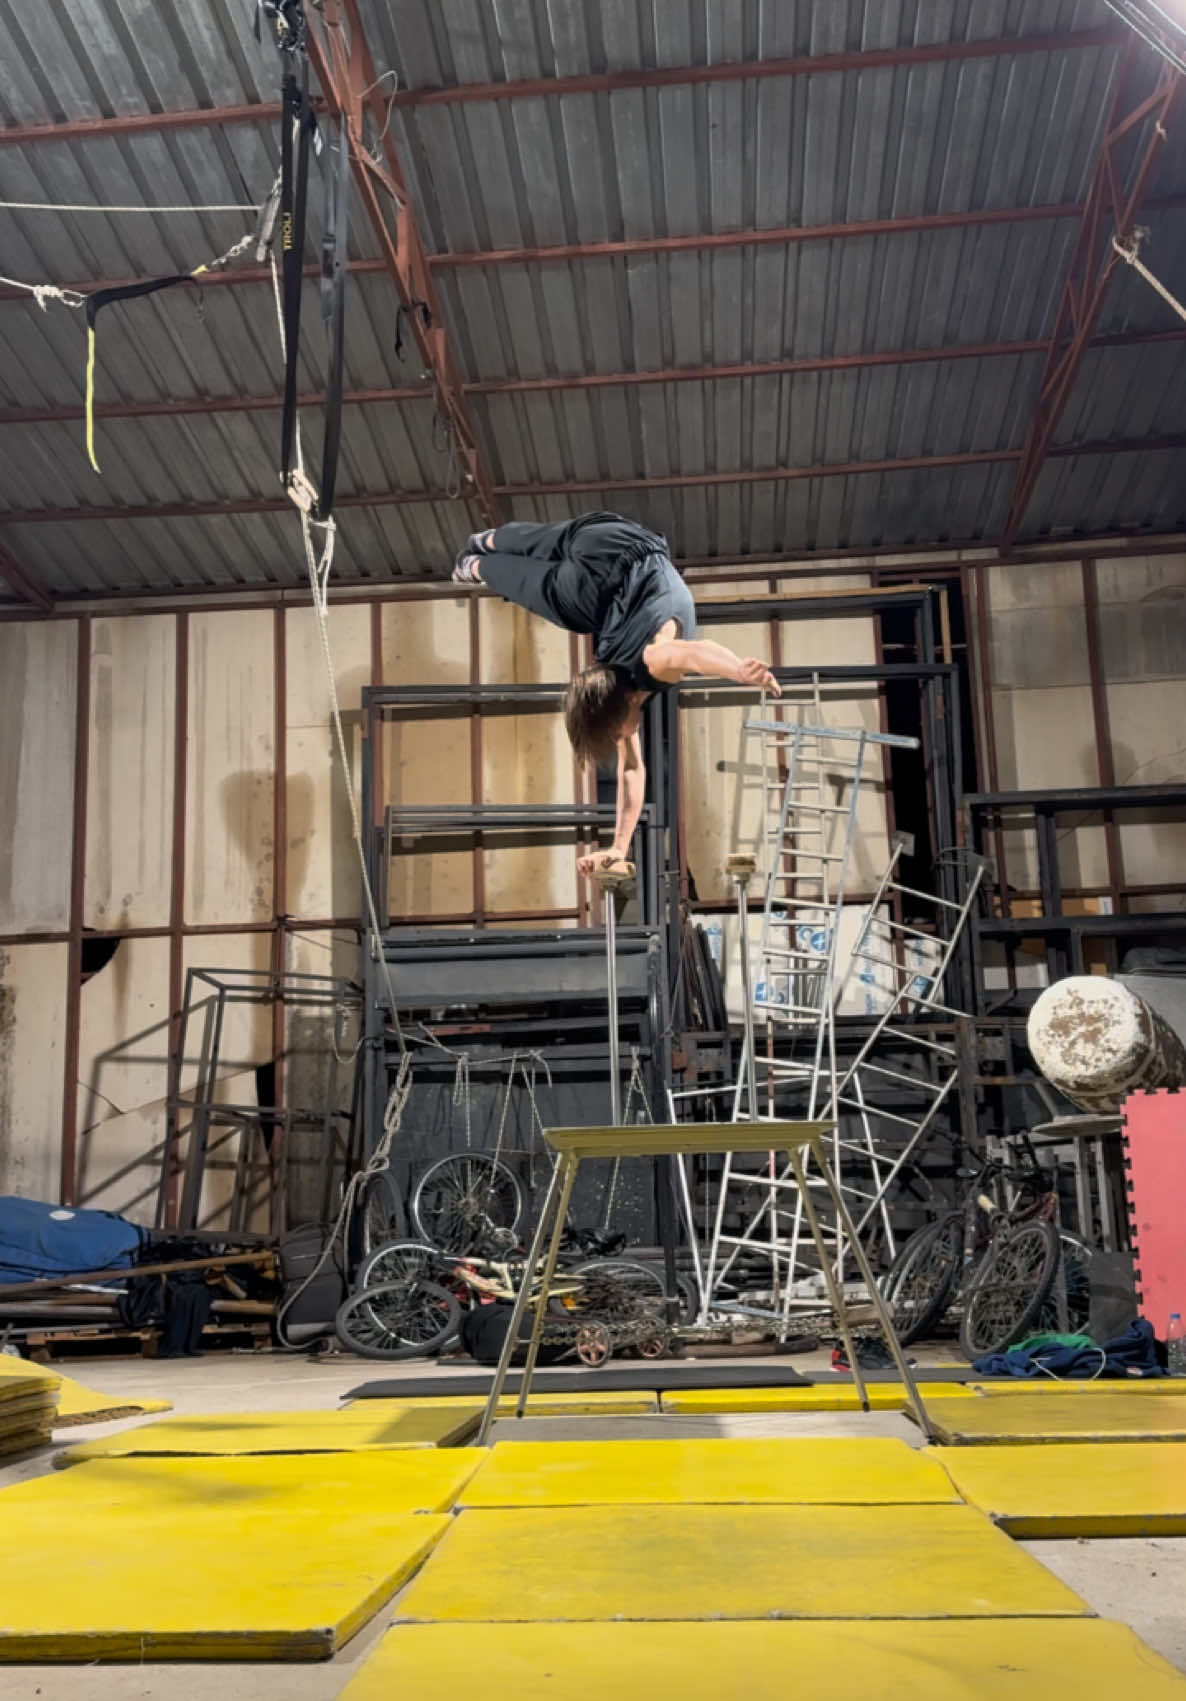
(693,1562)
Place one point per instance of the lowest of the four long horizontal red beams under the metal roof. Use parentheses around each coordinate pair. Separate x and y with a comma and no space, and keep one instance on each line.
(385,499)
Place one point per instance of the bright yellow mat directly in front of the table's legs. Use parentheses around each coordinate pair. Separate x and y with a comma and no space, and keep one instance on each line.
(833,1472)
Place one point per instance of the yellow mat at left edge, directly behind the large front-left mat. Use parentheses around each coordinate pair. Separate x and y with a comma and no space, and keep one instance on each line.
(394,1481)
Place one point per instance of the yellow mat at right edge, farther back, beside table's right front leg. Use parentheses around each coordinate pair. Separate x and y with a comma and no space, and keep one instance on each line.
(1064,1416)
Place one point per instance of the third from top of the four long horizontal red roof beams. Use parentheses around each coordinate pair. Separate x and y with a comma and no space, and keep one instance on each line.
(515,387)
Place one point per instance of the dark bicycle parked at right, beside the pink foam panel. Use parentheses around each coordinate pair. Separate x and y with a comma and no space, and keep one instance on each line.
(1000,1266)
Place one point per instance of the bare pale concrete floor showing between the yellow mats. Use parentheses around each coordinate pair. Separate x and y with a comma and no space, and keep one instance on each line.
(1141,1583)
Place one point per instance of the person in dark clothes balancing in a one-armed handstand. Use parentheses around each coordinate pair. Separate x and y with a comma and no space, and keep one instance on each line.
(612,579)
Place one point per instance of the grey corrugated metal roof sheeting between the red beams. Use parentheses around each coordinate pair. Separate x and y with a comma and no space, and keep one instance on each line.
(584,168)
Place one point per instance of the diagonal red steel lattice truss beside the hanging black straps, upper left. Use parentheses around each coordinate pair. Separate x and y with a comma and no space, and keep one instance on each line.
(348,76)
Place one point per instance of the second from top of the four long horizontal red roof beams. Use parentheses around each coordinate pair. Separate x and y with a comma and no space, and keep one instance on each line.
(593,251)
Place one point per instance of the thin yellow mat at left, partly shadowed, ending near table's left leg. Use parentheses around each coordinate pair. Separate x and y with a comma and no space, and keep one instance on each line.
(229,1433)
